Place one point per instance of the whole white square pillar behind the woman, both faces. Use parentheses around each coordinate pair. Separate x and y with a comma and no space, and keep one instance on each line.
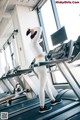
(23,18)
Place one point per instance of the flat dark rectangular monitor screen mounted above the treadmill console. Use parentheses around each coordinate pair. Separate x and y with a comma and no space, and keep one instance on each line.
(59,36)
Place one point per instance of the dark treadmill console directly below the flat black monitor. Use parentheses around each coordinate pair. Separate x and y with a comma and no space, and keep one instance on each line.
(62,51)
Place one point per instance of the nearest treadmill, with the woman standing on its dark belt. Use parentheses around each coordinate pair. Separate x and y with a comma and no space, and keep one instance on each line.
(64,110)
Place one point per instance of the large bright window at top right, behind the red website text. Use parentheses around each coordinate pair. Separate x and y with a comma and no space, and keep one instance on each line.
(69,15)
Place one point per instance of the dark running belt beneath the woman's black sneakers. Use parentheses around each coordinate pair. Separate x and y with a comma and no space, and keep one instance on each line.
(33,114)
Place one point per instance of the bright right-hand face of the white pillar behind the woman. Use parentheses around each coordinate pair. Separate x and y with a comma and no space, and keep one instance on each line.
(27,19)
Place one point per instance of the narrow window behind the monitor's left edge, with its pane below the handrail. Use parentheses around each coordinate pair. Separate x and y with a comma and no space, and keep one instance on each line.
(50,28)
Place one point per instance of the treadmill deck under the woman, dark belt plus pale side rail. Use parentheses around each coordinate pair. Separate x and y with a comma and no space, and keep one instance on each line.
(33,114)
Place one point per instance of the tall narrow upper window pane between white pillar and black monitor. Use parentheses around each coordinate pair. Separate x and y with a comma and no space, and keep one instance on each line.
(49,21)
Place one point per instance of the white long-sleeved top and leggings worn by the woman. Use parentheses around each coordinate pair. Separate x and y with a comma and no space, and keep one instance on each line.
(41,71)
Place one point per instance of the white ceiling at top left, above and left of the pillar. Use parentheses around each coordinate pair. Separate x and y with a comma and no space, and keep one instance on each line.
(5,22)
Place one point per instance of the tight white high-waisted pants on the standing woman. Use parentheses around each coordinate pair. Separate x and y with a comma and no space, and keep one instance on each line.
(44,82)
